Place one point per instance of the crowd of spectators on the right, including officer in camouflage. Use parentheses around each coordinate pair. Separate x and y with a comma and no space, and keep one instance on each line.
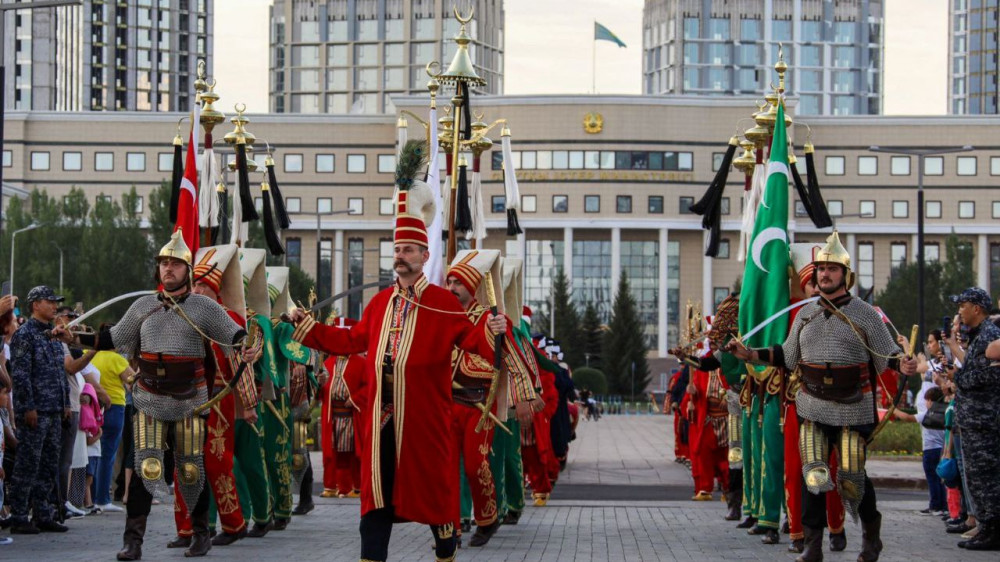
(958,407)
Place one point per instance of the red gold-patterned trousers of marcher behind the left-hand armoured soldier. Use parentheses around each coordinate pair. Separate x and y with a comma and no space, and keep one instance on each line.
(218,451)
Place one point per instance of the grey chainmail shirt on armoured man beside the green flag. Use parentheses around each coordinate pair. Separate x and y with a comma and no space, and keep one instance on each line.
(818,338)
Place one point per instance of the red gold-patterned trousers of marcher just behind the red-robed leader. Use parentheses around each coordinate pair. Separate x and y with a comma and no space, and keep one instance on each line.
(475,448)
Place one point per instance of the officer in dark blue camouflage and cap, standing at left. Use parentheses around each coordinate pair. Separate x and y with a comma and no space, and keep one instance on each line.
(42,404)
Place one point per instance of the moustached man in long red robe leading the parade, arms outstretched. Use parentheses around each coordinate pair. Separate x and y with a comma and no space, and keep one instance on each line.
(409,331)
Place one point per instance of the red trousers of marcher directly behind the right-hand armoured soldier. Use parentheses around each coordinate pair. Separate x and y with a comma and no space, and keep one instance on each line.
(794,484)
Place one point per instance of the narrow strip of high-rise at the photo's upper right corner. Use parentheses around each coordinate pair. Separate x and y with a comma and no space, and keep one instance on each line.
(972,66)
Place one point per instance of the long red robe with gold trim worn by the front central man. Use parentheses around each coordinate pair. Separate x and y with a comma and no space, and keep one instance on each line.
(426,482)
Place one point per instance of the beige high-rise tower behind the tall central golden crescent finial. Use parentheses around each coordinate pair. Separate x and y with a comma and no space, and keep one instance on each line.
(354,56)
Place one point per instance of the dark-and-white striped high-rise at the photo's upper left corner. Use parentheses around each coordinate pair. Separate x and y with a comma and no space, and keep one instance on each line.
(125,55)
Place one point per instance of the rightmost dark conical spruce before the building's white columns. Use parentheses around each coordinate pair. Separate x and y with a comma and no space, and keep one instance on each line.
(625,346)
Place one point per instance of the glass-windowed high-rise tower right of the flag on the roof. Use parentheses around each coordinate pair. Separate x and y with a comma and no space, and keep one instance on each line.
(715,47)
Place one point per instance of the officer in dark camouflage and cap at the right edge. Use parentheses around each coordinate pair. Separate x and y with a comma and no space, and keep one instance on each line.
(976,405)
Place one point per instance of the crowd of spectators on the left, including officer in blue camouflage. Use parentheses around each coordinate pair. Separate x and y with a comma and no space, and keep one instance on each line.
(62,412)
